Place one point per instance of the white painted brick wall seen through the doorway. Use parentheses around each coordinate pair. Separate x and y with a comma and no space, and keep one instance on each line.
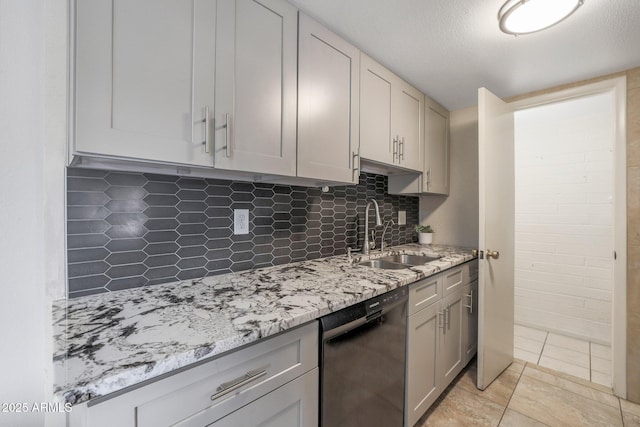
(564,217)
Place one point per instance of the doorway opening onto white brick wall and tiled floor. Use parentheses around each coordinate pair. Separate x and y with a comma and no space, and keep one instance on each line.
(570,291)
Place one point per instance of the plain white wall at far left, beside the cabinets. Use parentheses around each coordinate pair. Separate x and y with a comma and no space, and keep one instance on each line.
(31,213)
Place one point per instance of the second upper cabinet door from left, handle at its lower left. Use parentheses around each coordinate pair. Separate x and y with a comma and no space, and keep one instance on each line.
(255,104)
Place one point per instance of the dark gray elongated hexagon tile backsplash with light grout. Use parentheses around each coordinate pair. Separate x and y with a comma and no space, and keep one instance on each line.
(126,230)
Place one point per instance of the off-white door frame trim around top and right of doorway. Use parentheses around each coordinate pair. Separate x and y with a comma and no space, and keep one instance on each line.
(617,86)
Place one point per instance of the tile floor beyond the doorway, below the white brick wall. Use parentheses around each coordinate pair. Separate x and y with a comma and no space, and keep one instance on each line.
(582,359)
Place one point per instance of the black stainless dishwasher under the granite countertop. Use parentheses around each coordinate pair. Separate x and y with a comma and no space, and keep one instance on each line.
(363,363)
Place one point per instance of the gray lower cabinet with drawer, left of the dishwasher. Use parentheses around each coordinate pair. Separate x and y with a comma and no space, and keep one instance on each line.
(273,382)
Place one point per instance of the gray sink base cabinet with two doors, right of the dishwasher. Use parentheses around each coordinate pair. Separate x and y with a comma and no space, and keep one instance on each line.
(441,336)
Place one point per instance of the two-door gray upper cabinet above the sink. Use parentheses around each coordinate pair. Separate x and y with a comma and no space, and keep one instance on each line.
(391,118)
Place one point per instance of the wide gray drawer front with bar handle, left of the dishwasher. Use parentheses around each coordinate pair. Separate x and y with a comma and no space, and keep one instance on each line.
(232,381)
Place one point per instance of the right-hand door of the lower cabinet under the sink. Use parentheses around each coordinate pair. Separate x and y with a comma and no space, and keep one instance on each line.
(450,344)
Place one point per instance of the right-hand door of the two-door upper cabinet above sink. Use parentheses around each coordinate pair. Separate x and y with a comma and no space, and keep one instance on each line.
(407,123)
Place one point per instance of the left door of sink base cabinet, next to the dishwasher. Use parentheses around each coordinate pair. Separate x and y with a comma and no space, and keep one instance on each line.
(423,385)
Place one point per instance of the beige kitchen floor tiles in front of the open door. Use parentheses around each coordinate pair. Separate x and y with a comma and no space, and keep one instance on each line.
(526,394)
